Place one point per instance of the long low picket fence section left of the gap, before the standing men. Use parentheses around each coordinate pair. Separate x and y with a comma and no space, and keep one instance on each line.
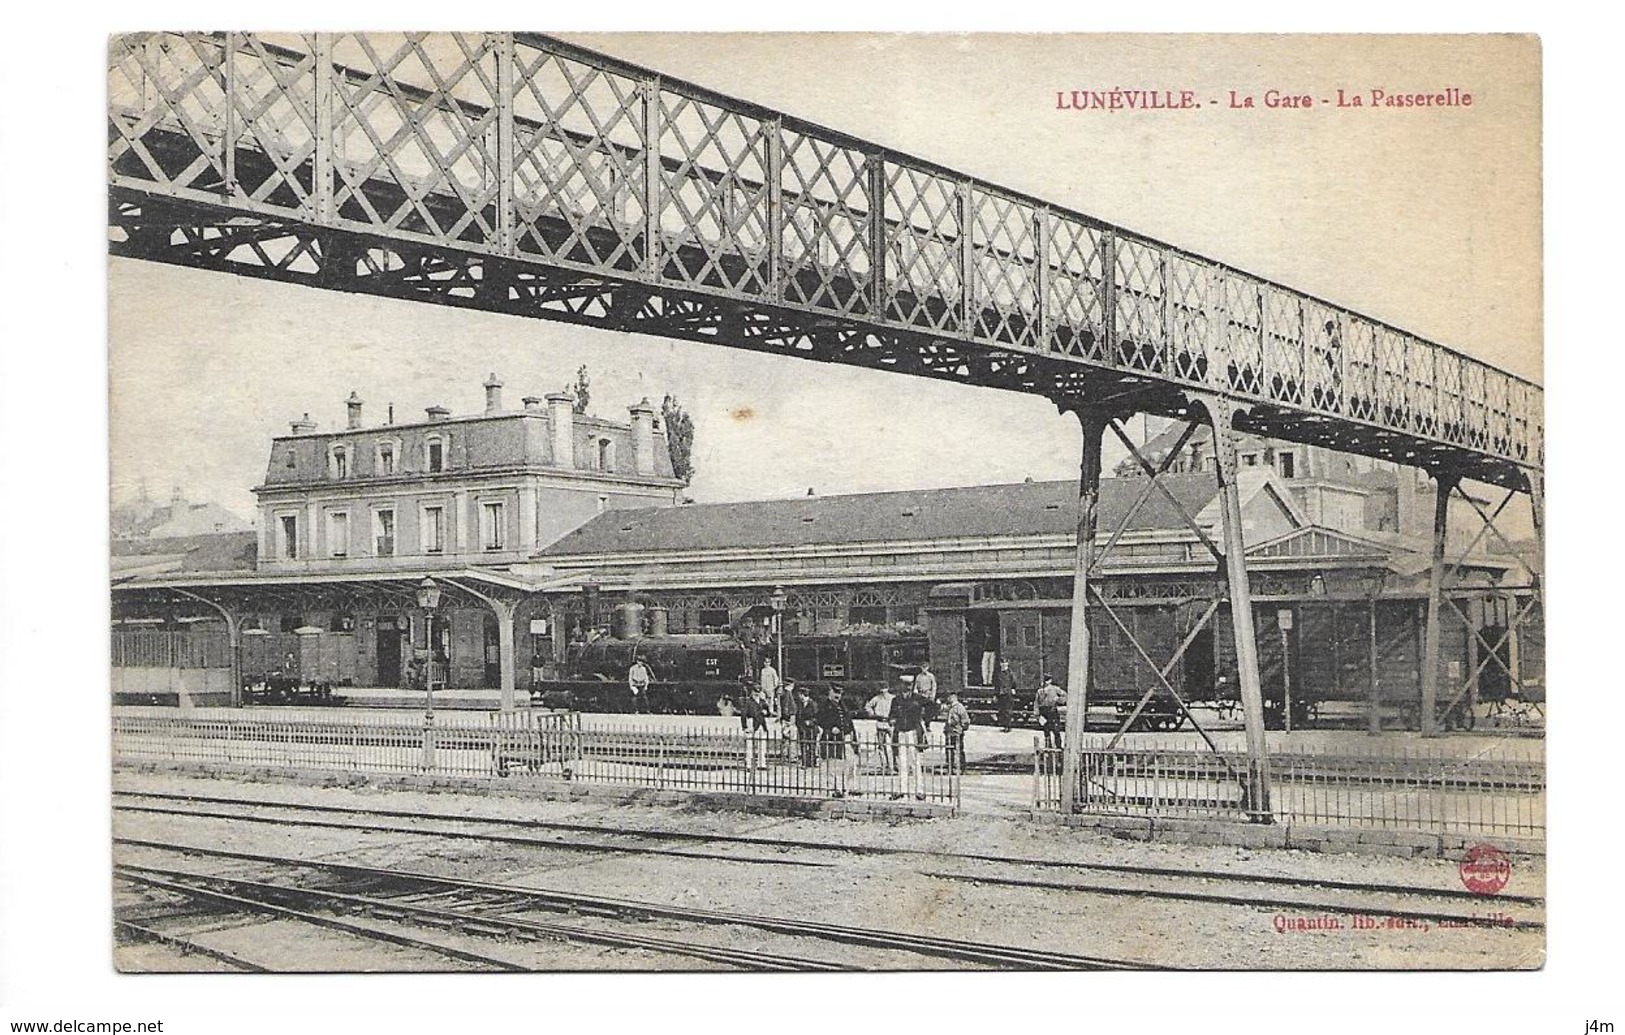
(553,747)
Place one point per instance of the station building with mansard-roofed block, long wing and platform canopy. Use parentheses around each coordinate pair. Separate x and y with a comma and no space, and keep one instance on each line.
(539,522)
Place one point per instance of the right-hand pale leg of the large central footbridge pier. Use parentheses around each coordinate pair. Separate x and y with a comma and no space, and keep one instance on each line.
(1241,594)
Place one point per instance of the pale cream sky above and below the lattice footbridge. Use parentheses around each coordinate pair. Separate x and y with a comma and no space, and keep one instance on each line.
(1424,219)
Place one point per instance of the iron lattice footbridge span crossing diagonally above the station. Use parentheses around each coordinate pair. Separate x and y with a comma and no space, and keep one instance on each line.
(522,175)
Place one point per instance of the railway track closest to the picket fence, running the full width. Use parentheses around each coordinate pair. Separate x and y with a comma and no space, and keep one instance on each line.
(1184,885)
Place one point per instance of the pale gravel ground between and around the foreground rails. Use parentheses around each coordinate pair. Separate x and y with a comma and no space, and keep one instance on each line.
(885,891)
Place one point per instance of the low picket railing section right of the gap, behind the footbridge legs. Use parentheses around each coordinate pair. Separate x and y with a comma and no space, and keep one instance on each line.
(1393,787)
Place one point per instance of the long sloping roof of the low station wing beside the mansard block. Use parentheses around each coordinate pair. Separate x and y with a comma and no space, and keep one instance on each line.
(1023,509)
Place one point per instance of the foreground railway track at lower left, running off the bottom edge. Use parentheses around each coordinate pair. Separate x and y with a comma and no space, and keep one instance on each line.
(321,893)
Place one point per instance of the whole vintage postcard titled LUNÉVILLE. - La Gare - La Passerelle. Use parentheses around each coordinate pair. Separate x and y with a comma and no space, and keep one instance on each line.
(648,503)
